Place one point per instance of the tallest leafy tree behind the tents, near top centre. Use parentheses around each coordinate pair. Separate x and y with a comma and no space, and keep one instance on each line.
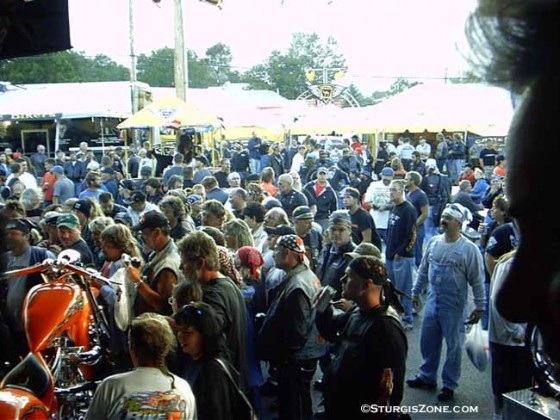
(285,72)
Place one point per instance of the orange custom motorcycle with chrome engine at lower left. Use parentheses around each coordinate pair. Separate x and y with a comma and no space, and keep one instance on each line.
(67,335)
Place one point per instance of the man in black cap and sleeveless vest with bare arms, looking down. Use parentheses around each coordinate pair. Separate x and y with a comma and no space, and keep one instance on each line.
(155,281)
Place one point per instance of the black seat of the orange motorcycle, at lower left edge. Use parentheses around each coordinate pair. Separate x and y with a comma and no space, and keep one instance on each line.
(29,374)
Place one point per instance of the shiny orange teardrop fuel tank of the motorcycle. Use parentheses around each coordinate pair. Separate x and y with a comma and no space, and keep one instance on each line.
(50,309)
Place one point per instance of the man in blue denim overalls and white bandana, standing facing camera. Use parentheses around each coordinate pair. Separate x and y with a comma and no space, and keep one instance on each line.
(450,264)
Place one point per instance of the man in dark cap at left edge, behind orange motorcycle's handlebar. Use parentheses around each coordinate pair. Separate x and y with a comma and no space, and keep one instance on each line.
(13,291)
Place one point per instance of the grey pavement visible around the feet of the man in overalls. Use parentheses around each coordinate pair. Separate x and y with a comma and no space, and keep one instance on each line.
(474,392)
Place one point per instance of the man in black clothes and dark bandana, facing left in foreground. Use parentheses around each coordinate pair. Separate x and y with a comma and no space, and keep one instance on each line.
(370,358)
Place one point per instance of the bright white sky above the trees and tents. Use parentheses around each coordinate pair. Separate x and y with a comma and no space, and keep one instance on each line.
(380,39)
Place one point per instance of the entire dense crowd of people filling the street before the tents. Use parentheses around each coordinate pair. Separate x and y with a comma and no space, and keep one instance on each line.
(237,261)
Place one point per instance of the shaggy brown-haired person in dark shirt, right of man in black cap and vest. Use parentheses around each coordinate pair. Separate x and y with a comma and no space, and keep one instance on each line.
(201,264)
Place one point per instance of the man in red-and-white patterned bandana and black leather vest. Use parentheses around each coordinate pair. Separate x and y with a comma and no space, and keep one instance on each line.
(288,337)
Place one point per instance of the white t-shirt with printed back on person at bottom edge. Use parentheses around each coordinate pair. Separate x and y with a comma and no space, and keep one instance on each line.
(144,393)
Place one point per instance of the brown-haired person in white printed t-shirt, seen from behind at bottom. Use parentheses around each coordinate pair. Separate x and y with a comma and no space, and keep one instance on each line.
(150,390)
